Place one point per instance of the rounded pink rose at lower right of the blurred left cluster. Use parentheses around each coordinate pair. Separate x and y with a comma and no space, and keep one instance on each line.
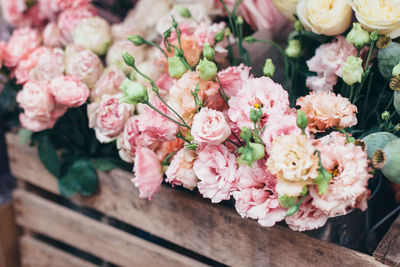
(69,91)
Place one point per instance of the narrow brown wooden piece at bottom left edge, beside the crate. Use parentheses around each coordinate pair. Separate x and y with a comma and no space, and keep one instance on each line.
(8,237)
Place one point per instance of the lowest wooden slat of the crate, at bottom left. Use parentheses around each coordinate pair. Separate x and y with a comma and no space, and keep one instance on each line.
(35,253)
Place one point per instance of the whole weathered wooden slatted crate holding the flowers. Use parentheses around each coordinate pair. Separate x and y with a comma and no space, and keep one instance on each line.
(184,230)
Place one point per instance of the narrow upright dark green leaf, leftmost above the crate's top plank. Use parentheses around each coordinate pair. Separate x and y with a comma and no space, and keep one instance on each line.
(48,156)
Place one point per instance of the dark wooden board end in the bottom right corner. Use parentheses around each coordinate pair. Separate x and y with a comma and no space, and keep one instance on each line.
(388,250)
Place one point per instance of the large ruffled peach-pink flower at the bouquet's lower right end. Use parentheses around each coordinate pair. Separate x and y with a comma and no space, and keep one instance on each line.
(348,188)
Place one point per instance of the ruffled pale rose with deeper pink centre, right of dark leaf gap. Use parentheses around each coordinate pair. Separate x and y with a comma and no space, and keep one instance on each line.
(108,117)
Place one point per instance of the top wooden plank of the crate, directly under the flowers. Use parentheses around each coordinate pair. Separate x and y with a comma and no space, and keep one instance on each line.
(191,222)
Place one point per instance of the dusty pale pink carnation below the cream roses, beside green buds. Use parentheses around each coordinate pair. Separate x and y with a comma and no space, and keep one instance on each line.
(328,62)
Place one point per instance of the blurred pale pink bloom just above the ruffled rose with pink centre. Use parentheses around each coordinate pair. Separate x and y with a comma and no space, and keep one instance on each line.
(108,83)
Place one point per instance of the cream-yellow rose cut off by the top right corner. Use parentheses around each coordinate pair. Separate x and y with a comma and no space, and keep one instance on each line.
(381,15)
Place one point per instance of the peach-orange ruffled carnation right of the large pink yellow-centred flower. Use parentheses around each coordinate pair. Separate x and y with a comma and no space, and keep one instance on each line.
(327,110)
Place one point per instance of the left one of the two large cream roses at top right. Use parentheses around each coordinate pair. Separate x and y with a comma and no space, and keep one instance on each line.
(328,17)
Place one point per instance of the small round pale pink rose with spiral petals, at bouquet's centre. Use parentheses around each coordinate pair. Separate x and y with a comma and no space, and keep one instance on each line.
(210,127)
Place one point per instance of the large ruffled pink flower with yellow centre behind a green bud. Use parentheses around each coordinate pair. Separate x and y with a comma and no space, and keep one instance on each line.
(261,92)
